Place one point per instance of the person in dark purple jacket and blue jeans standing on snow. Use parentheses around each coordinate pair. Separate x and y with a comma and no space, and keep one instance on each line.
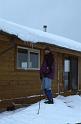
(47,74)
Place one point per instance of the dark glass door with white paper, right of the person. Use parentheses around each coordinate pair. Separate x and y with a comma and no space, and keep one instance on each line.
(70,74)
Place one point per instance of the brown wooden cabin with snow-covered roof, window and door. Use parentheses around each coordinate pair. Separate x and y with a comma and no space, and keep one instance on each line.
(21,55)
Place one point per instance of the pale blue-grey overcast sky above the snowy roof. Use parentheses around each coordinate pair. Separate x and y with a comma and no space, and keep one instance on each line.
(63,17)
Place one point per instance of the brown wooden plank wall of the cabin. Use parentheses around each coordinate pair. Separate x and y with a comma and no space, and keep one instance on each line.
(15,83)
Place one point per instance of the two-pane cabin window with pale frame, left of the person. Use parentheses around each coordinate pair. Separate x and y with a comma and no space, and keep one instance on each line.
(28,58)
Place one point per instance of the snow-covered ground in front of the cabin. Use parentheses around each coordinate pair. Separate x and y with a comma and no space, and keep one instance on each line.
(65,110)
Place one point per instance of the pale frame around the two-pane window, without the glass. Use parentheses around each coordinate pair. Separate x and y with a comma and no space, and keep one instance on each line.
(29,51)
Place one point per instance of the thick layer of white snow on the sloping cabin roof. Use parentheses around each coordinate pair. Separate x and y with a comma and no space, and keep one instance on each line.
(33,35)
